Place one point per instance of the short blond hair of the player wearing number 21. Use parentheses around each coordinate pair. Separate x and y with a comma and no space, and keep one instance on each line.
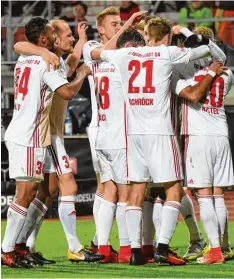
(158,28)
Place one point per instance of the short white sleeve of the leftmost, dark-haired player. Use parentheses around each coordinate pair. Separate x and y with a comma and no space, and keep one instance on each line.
(53,79)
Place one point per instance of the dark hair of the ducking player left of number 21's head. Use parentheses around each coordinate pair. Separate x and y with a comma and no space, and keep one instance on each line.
(131,35)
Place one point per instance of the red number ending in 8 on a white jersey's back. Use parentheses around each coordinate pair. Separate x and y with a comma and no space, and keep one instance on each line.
(102,87)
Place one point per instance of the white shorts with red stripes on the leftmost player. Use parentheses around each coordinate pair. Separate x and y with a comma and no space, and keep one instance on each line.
(26,163)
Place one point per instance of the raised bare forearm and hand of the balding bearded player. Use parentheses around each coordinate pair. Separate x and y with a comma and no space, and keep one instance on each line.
(74,58)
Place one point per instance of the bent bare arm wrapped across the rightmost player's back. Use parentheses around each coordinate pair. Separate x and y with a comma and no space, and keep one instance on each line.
(195,93)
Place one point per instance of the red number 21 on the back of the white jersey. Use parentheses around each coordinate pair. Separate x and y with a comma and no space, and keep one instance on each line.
(136,67)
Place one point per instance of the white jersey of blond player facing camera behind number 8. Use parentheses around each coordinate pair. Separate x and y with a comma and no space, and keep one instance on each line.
(93,64)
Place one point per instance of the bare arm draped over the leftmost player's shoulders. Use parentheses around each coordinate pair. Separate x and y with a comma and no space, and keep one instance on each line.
(30,49)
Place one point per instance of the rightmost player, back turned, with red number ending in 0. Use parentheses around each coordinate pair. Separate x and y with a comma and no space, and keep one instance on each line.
(208,159)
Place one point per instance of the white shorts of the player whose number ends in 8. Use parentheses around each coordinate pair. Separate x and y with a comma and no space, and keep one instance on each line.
(113,165)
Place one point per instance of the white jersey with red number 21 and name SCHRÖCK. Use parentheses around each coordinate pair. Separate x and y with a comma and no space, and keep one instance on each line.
(146,75)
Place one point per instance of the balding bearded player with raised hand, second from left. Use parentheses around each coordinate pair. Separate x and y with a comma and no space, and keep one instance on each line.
(57,160)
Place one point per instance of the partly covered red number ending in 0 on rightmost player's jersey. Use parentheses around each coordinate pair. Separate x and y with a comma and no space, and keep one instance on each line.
(216,92)
